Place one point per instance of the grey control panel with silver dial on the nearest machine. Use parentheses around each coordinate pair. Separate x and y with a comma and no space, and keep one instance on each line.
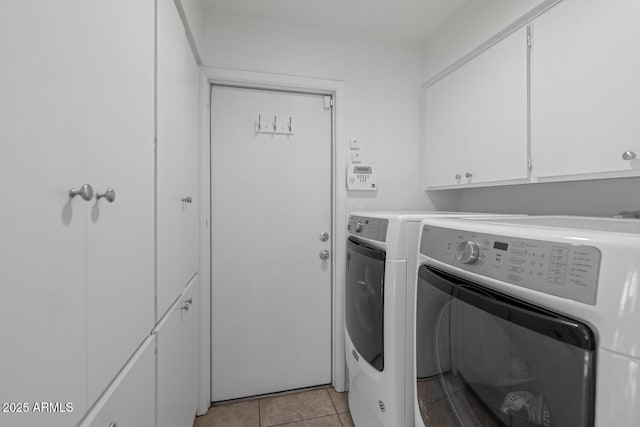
(561,269)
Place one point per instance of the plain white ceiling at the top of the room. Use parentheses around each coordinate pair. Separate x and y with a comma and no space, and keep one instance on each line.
(407,21)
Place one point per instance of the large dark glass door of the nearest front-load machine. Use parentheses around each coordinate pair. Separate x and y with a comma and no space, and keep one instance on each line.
(503,362)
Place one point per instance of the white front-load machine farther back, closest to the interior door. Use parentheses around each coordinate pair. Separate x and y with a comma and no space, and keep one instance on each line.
(380,301)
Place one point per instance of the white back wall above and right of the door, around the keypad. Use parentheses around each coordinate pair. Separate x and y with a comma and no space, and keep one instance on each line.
(382,86)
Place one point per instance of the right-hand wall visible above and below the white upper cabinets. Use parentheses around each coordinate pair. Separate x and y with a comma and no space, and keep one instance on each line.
(475,24)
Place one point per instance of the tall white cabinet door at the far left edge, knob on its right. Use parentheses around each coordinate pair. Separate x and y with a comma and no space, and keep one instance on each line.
(42,230)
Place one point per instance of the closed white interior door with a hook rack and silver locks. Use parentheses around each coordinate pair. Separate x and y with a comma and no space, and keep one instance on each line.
(271,200)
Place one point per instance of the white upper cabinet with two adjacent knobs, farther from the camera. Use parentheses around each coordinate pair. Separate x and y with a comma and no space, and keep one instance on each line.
(476,118)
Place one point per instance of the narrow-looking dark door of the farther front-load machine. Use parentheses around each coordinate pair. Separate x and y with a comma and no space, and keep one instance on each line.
(365,301)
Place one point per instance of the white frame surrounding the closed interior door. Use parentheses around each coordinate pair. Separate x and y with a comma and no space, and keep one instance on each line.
(257,80)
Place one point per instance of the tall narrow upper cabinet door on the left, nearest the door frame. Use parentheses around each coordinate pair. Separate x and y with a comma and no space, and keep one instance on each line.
(177,158)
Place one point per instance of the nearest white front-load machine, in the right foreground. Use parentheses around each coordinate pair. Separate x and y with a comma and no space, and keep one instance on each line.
(535,322)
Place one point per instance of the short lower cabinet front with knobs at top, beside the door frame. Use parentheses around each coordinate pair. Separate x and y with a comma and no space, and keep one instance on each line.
(178,360)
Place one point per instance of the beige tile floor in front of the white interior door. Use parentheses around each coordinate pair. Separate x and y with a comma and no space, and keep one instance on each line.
(315,408)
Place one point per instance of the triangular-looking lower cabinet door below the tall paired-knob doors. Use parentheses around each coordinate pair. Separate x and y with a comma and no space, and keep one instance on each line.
(130,399)
